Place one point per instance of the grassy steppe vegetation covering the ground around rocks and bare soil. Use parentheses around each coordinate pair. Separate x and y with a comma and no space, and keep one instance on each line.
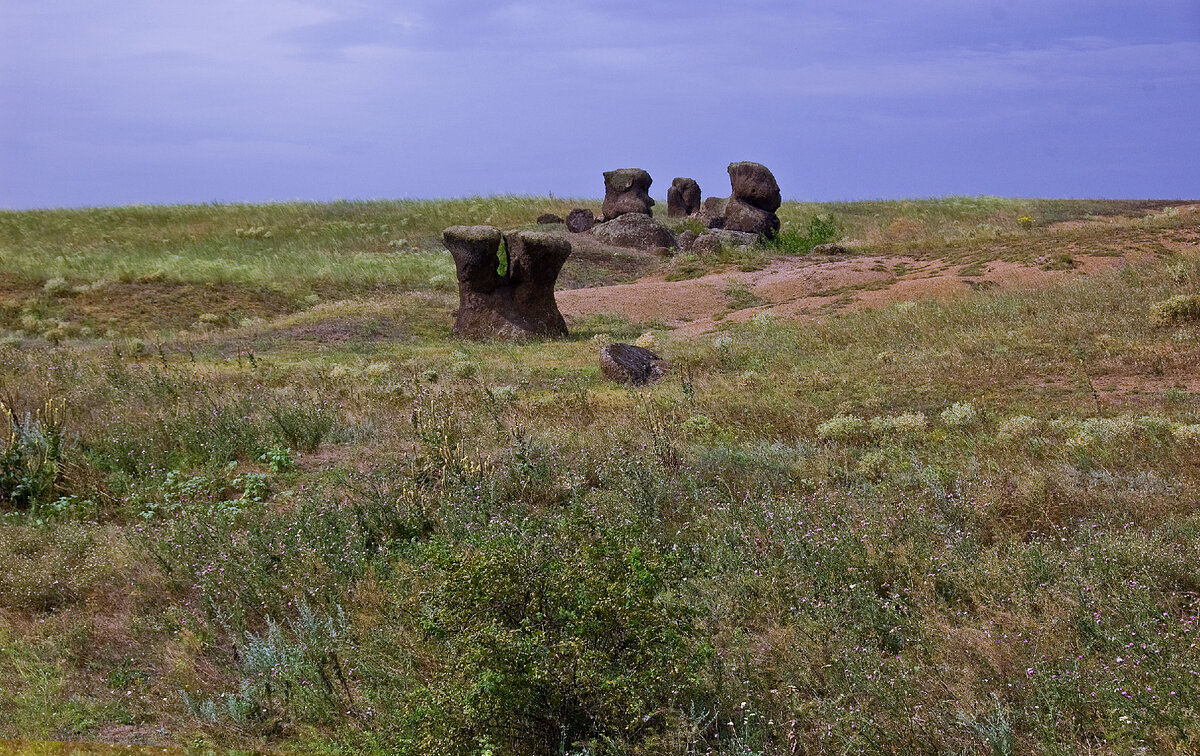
(255,495)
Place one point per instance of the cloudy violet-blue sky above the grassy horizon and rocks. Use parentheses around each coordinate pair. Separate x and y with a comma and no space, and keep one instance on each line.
(187,101)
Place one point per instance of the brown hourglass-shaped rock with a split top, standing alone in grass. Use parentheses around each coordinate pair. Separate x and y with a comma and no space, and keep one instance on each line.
(519,304)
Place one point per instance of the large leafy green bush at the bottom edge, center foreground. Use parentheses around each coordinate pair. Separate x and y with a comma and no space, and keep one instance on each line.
(551,637)
